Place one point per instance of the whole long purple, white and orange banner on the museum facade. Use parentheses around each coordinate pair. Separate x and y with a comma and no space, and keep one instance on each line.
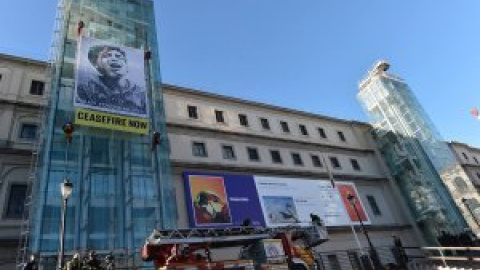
(224,200)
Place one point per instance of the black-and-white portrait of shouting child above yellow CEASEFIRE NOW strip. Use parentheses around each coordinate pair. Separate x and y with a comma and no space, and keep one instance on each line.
(110,78)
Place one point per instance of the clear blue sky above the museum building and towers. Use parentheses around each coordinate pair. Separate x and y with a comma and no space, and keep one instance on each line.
(303,54)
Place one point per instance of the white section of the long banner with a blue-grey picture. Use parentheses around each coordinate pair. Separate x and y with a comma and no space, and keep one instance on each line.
(290,201)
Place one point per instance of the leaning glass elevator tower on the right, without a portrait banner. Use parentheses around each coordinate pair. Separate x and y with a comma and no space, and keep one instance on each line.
(429,176)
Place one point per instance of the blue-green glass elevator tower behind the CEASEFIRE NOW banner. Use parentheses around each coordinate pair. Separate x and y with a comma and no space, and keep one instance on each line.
(122,182)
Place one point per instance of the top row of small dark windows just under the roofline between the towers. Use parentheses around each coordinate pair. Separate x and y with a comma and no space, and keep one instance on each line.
(264,123)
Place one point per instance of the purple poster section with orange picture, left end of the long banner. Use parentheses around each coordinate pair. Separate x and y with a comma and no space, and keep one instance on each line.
(216,200)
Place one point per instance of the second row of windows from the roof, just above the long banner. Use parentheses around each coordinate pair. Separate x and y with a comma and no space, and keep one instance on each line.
(199,150)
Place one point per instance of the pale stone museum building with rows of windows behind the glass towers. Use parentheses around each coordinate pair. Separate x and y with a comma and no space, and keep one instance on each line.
(210,134)
